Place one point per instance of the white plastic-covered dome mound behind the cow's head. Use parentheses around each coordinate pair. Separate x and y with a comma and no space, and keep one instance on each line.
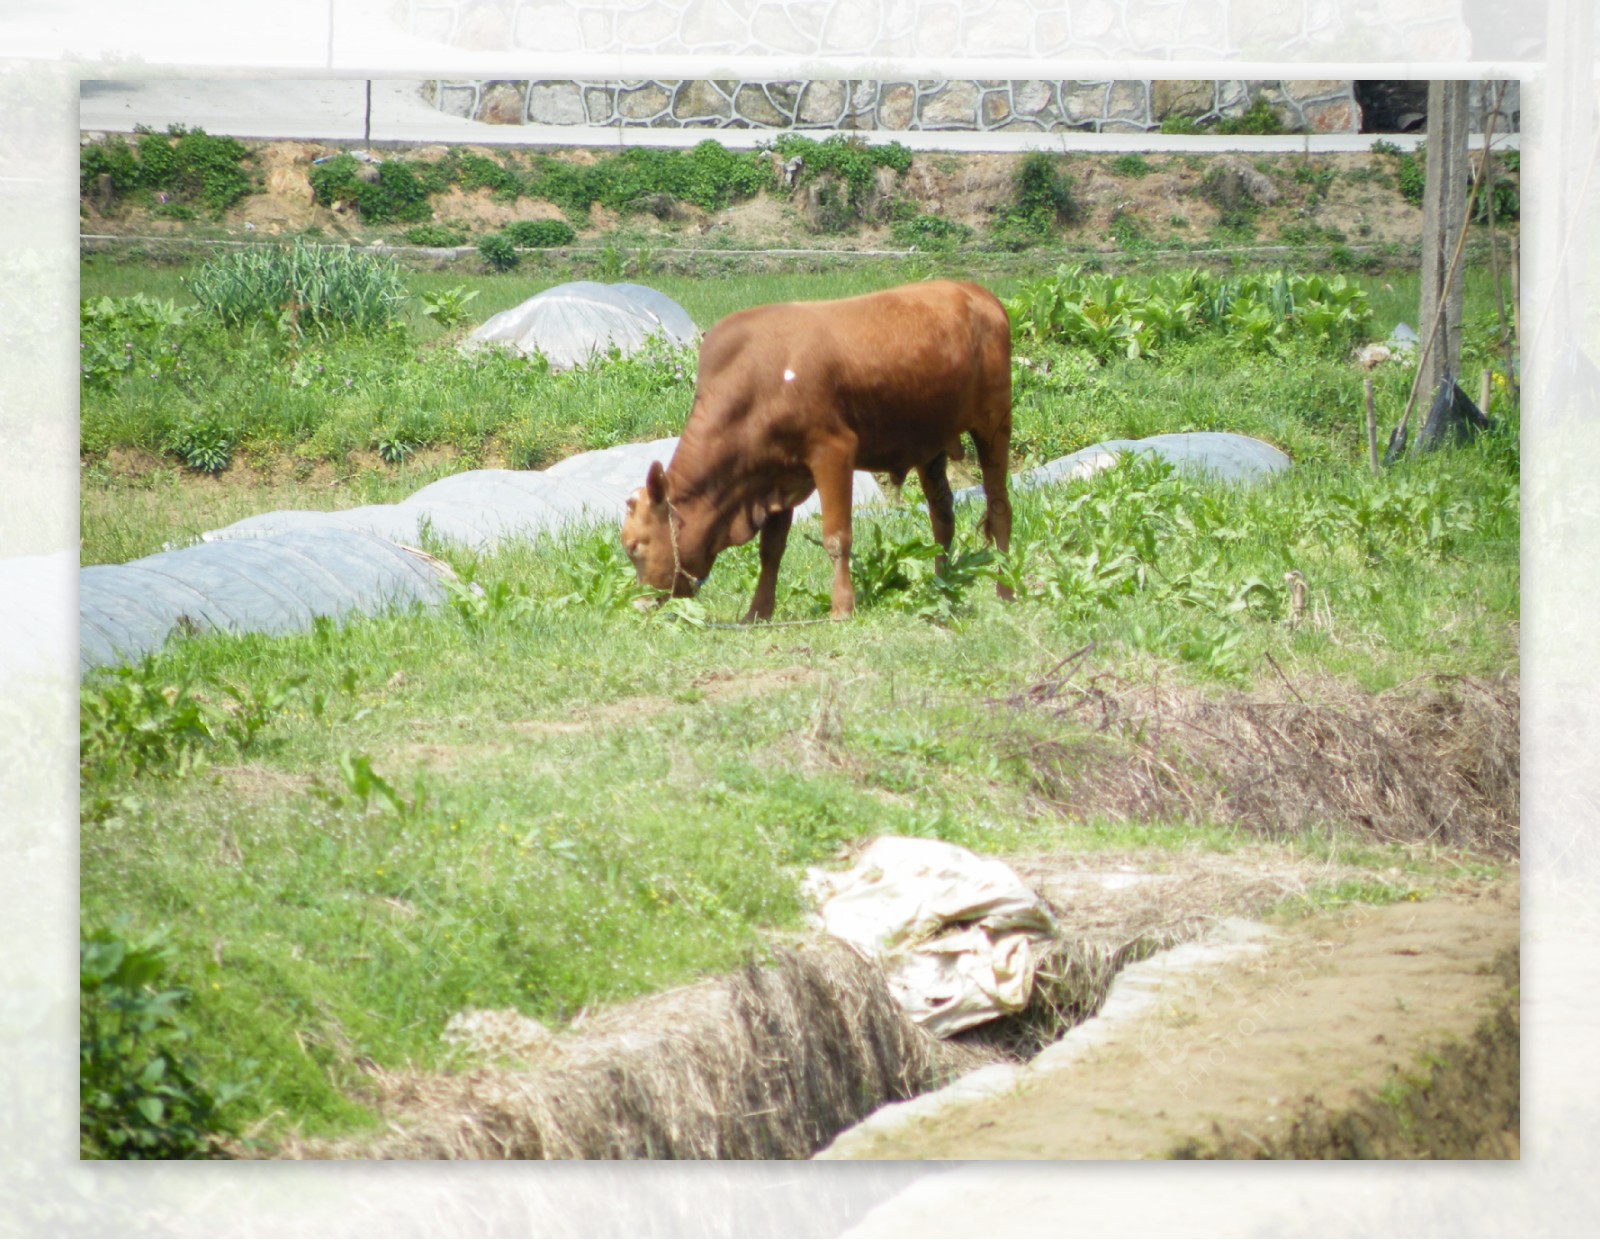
(580,321)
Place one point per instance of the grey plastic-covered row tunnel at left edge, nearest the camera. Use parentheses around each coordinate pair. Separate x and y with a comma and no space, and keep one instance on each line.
(271,585)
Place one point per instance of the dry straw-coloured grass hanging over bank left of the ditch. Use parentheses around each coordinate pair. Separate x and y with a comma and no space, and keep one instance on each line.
(769,1065)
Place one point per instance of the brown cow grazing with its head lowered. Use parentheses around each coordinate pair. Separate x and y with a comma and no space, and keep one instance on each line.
(798,398)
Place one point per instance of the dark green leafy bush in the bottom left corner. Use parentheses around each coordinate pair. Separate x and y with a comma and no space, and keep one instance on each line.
(140,1094)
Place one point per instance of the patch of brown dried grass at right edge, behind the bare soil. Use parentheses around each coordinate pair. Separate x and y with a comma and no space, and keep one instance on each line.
(1422,764)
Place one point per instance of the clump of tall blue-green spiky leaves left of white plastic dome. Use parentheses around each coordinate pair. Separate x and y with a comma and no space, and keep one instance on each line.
(302,289)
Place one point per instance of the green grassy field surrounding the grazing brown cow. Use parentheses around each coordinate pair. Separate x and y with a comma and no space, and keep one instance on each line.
(542,799)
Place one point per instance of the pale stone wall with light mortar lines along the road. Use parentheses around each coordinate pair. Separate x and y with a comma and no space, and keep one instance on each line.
(996,106)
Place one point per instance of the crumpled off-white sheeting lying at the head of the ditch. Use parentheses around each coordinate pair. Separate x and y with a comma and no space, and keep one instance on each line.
(958,935)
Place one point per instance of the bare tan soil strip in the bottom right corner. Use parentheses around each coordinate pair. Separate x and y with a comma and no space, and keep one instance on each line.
(1337,1007)
